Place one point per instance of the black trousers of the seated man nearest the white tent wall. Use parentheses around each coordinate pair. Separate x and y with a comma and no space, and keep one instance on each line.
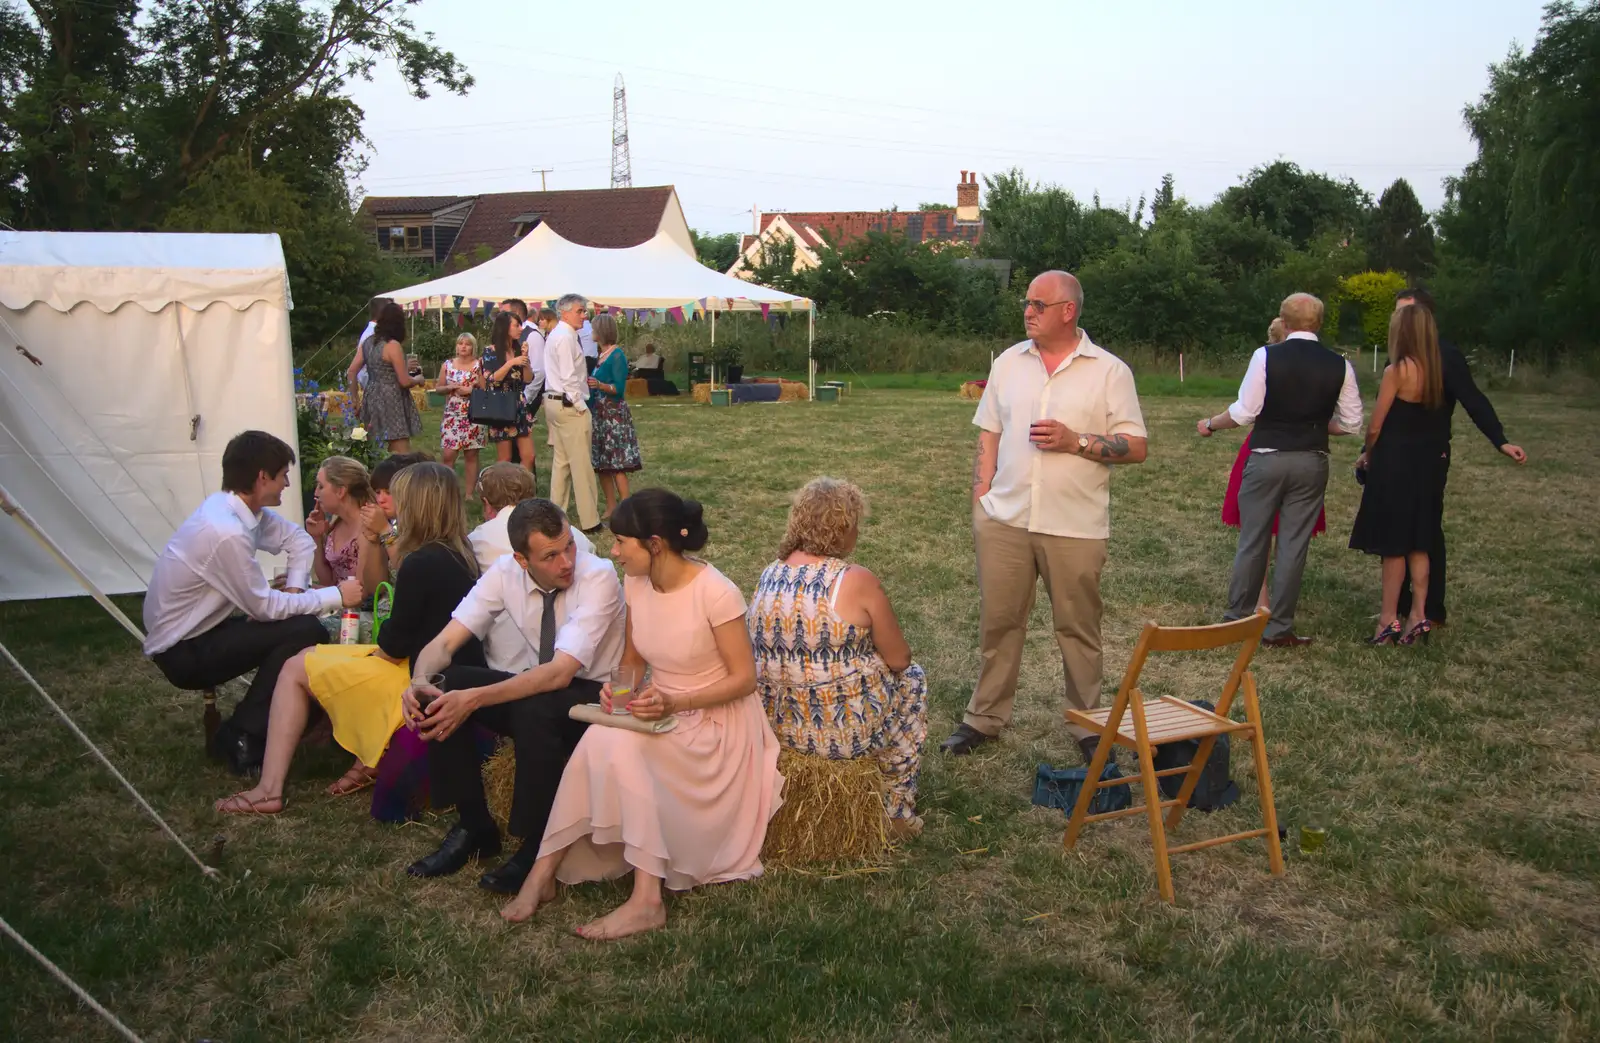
(236,647)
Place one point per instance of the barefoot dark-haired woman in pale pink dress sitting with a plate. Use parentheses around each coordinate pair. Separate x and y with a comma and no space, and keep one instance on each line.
(684,807)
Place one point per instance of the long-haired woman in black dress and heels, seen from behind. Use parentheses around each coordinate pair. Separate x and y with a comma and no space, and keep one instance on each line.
(1406,458)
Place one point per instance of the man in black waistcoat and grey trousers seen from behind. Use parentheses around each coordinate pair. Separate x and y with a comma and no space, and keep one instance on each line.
(1297,394)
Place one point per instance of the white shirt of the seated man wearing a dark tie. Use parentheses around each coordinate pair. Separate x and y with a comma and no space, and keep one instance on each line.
(590,615)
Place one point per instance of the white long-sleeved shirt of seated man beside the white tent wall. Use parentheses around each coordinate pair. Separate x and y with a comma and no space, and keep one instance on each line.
(209,572)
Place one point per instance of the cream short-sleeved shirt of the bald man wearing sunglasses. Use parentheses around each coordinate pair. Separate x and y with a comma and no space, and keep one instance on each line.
(1055,494)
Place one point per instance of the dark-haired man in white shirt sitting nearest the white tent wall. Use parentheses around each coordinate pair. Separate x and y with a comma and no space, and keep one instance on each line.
(212,617)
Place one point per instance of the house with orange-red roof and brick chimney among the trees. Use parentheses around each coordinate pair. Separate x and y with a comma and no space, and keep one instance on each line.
(812,231)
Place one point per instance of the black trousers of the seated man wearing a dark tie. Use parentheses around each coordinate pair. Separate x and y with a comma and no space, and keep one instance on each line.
(543,737)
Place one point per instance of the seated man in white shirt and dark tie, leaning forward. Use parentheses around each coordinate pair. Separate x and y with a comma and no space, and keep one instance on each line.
(567,607)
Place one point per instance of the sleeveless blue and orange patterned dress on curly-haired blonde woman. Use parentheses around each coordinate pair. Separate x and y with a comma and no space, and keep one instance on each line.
(826,690)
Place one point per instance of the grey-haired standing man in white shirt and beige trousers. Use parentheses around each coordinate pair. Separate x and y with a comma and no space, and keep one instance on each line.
(567,415)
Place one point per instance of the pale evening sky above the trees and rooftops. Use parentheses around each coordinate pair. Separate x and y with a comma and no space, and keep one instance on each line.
(881,103)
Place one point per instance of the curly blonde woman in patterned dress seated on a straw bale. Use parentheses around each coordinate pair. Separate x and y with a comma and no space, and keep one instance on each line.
(831,663)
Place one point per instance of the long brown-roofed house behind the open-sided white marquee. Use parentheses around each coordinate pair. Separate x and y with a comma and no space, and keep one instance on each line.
(460,231)
